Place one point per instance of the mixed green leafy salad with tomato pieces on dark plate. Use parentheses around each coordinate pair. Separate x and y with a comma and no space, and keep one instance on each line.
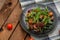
(39,20)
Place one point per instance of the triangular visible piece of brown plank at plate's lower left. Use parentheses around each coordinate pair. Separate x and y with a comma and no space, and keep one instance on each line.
(18,34)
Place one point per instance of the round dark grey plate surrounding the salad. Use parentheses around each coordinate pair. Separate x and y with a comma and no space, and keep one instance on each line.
(24,25)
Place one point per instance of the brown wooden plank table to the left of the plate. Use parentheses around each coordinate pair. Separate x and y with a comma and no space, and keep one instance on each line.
(10,13)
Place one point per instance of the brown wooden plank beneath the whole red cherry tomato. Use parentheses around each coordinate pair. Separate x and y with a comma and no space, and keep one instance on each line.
(13,19)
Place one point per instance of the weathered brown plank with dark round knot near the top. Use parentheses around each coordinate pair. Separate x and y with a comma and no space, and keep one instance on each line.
(5,11)
